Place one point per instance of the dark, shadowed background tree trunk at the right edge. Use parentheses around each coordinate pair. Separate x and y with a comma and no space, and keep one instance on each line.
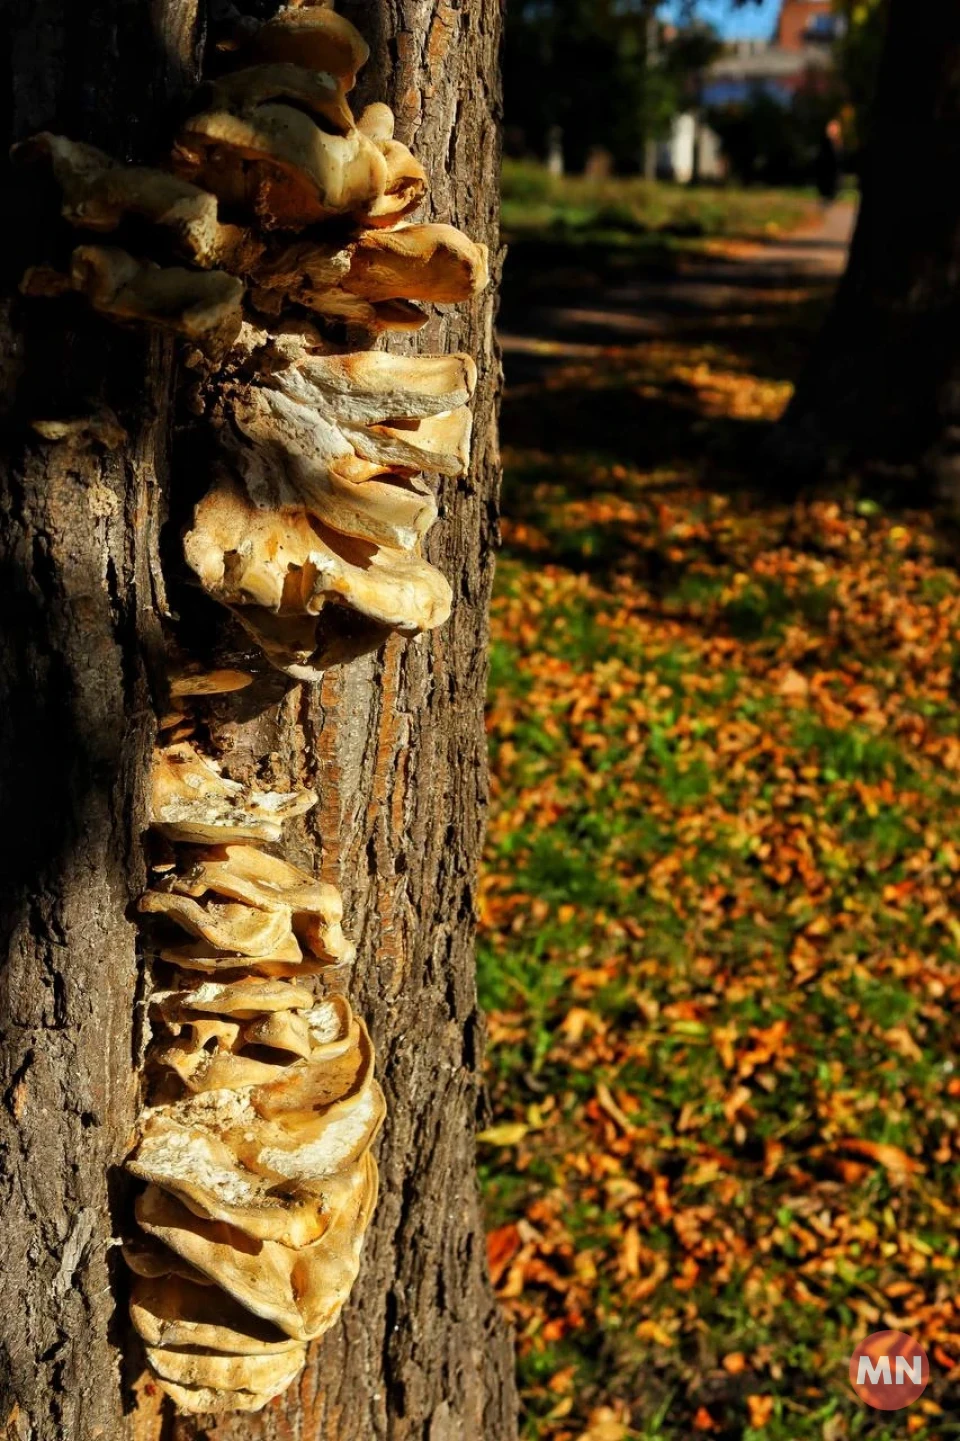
(883,385)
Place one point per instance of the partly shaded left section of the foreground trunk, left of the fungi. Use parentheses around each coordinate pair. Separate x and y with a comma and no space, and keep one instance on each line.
(77,534)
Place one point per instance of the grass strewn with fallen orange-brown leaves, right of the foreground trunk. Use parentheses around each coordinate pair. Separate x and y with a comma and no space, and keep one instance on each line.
(720,940)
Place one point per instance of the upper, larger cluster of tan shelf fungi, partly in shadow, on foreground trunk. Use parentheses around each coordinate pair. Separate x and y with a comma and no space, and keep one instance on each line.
(292,220)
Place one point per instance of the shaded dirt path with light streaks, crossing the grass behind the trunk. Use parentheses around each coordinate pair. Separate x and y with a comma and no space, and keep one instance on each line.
(596,302)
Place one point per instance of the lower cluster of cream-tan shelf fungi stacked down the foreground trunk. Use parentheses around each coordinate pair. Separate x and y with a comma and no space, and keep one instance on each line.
(256,1148)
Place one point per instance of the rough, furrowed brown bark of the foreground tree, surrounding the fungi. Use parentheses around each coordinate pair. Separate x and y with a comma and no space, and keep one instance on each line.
(394,744)
